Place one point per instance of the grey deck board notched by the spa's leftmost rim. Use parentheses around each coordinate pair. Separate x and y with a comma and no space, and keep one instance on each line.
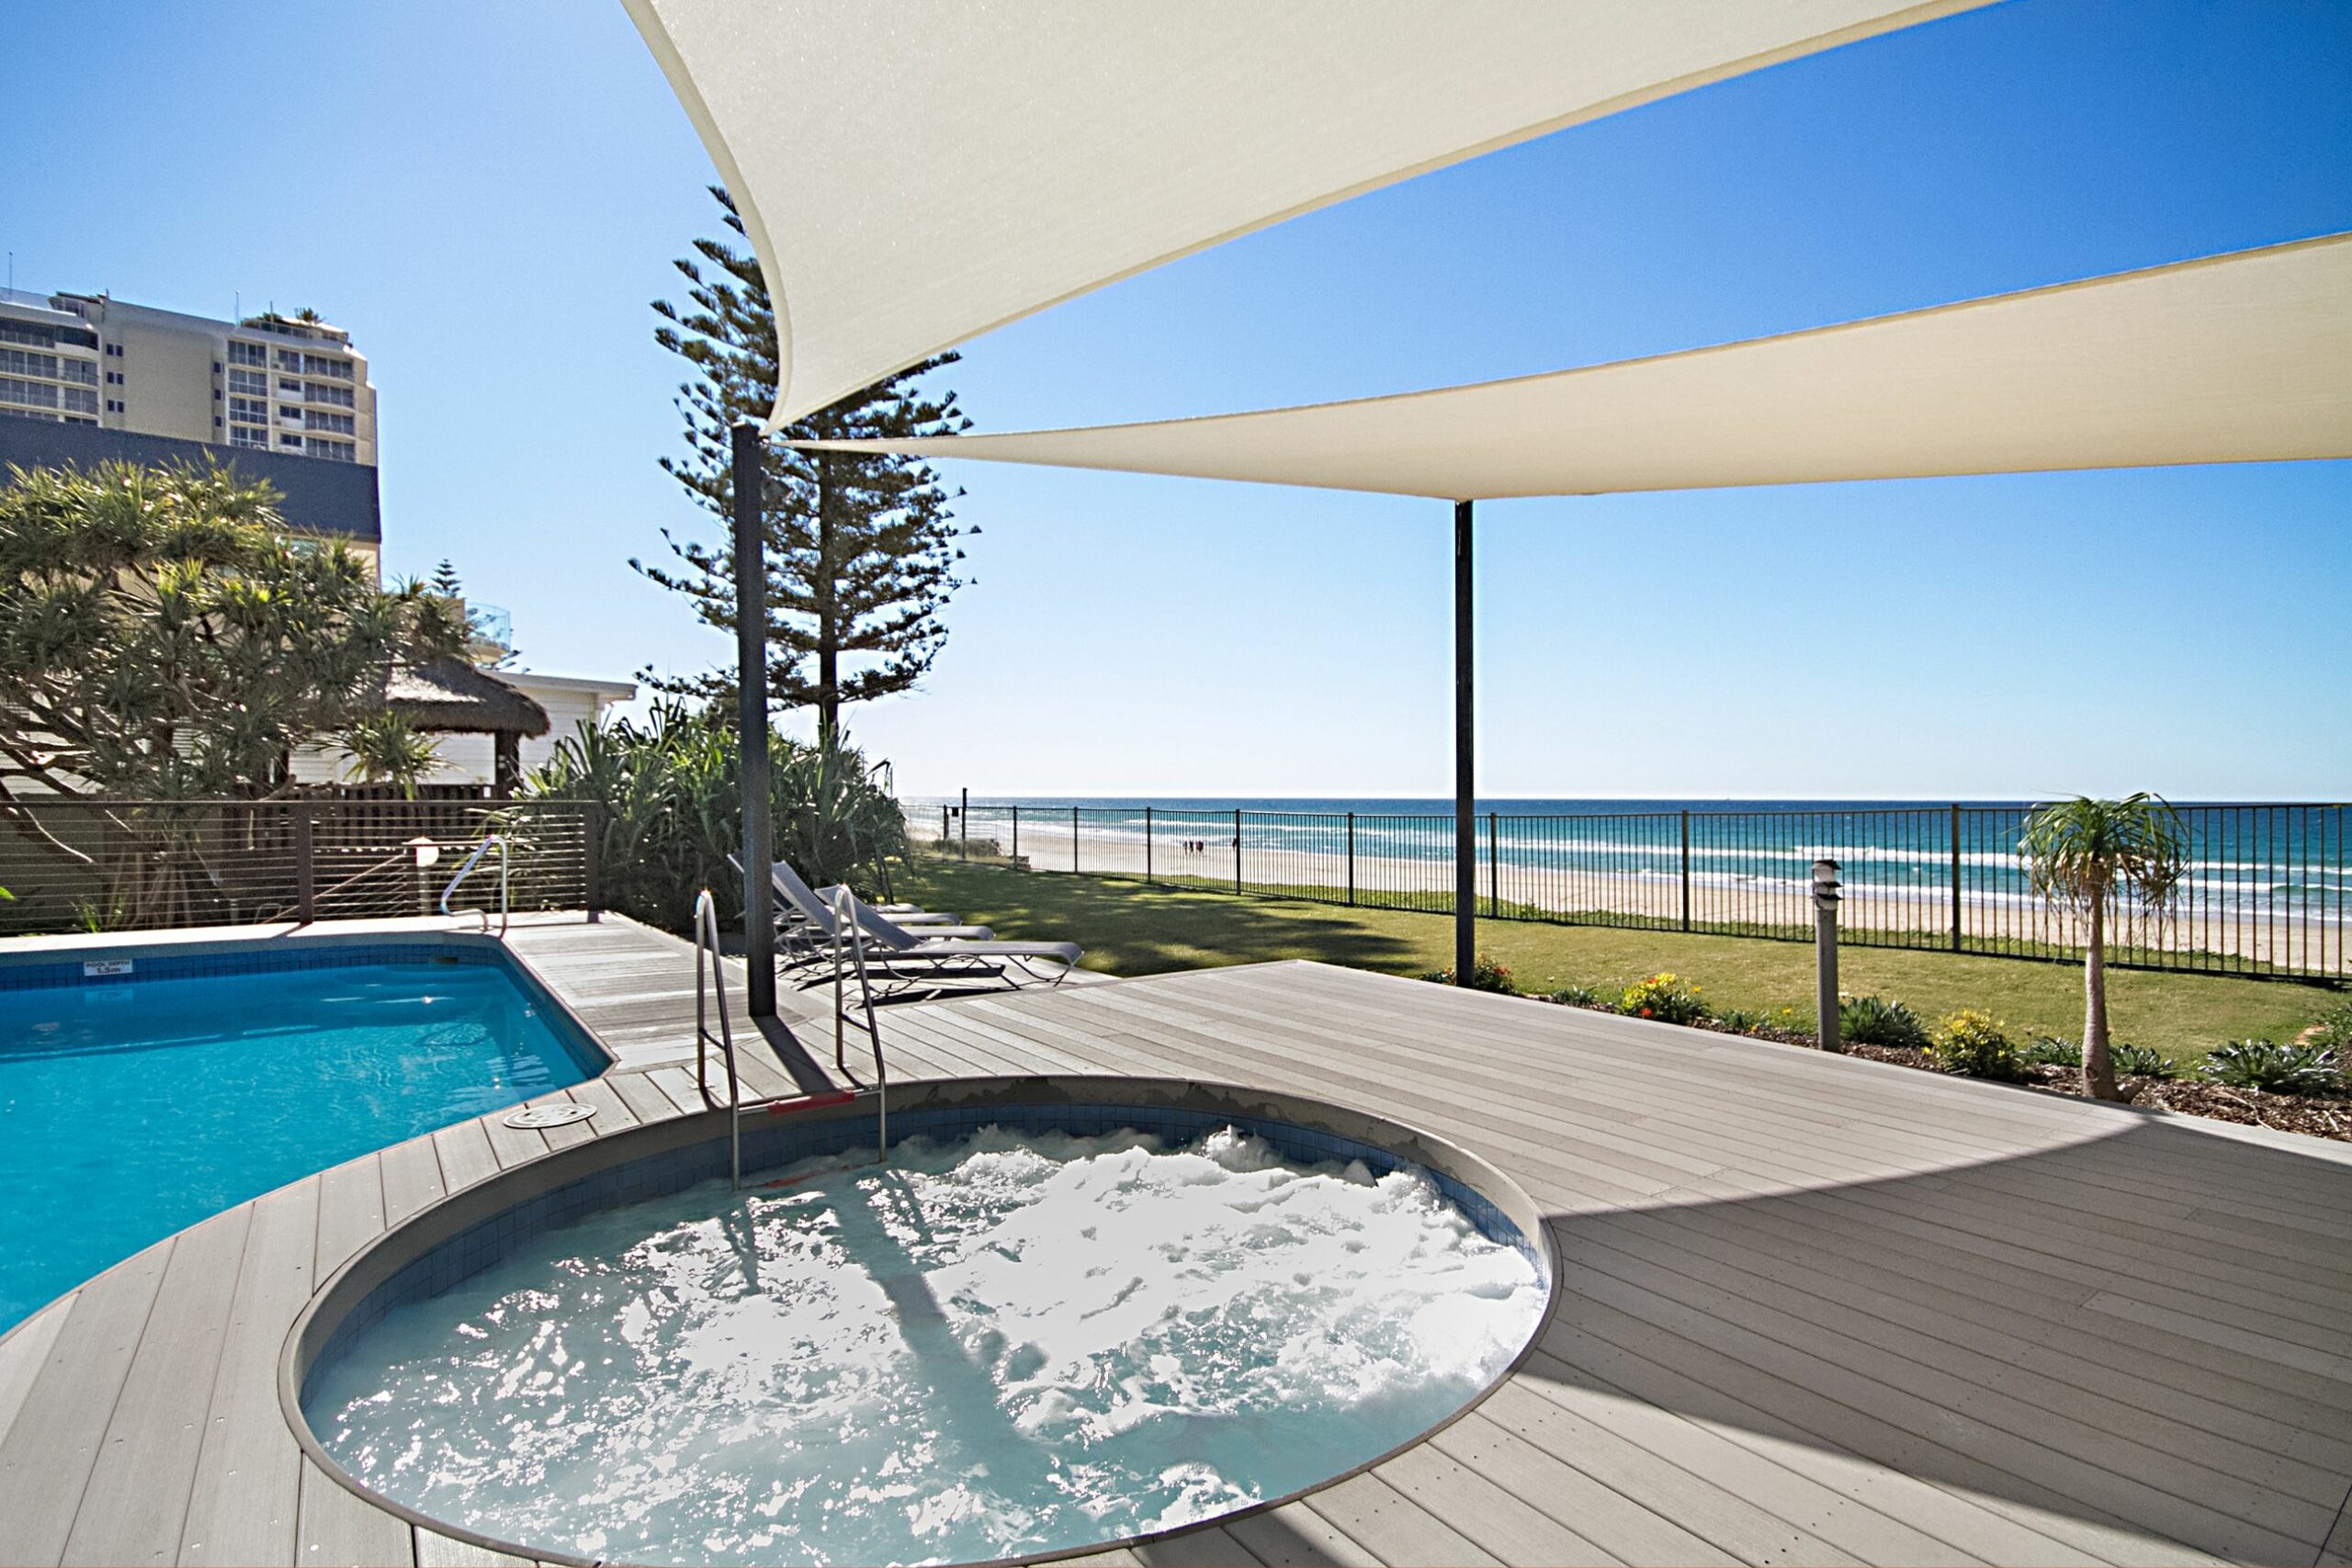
(248,1475)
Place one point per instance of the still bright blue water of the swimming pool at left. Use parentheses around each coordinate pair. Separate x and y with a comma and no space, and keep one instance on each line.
(135,1108)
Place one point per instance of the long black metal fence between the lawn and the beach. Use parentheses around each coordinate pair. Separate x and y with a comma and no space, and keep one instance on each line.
(2266,887)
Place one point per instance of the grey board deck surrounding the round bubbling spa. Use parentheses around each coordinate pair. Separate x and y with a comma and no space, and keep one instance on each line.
(1815,1311)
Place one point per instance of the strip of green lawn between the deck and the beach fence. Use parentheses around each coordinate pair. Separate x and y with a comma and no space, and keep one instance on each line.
(1137,930)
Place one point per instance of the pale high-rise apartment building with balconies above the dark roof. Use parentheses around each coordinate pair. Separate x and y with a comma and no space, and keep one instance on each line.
(279,384)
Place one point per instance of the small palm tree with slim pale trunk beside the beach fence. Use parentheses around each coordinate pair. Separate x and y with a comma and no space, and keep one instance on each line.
(2080,857)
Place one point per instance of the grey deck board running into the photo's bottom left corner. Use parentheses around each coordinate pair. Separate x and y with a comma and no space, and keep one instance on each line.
(53,1445)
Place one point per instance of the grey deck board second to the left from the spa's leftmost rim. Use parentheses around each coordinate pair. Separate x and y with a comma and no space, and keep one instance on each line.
(138,1494)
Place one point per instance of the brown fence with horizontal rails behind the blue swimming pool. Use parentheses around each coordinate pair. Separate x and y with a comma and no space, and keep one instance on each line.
(135,866)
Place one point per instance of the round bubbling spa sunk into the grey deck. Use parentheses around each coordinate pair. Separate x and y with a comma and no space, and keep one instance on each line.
(1064,1313)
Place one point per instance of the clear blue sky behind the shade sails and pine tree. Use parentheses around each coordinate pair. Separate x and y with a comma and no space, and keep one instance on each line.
(490,194)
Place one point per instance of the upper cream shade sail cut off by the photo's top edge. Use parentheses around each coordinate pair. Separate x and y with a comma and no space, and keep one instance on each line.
(914,175)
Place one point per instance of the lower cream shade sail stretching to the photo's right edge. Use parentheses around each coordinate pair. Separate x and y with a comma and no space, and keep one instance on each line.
(2238,359)
